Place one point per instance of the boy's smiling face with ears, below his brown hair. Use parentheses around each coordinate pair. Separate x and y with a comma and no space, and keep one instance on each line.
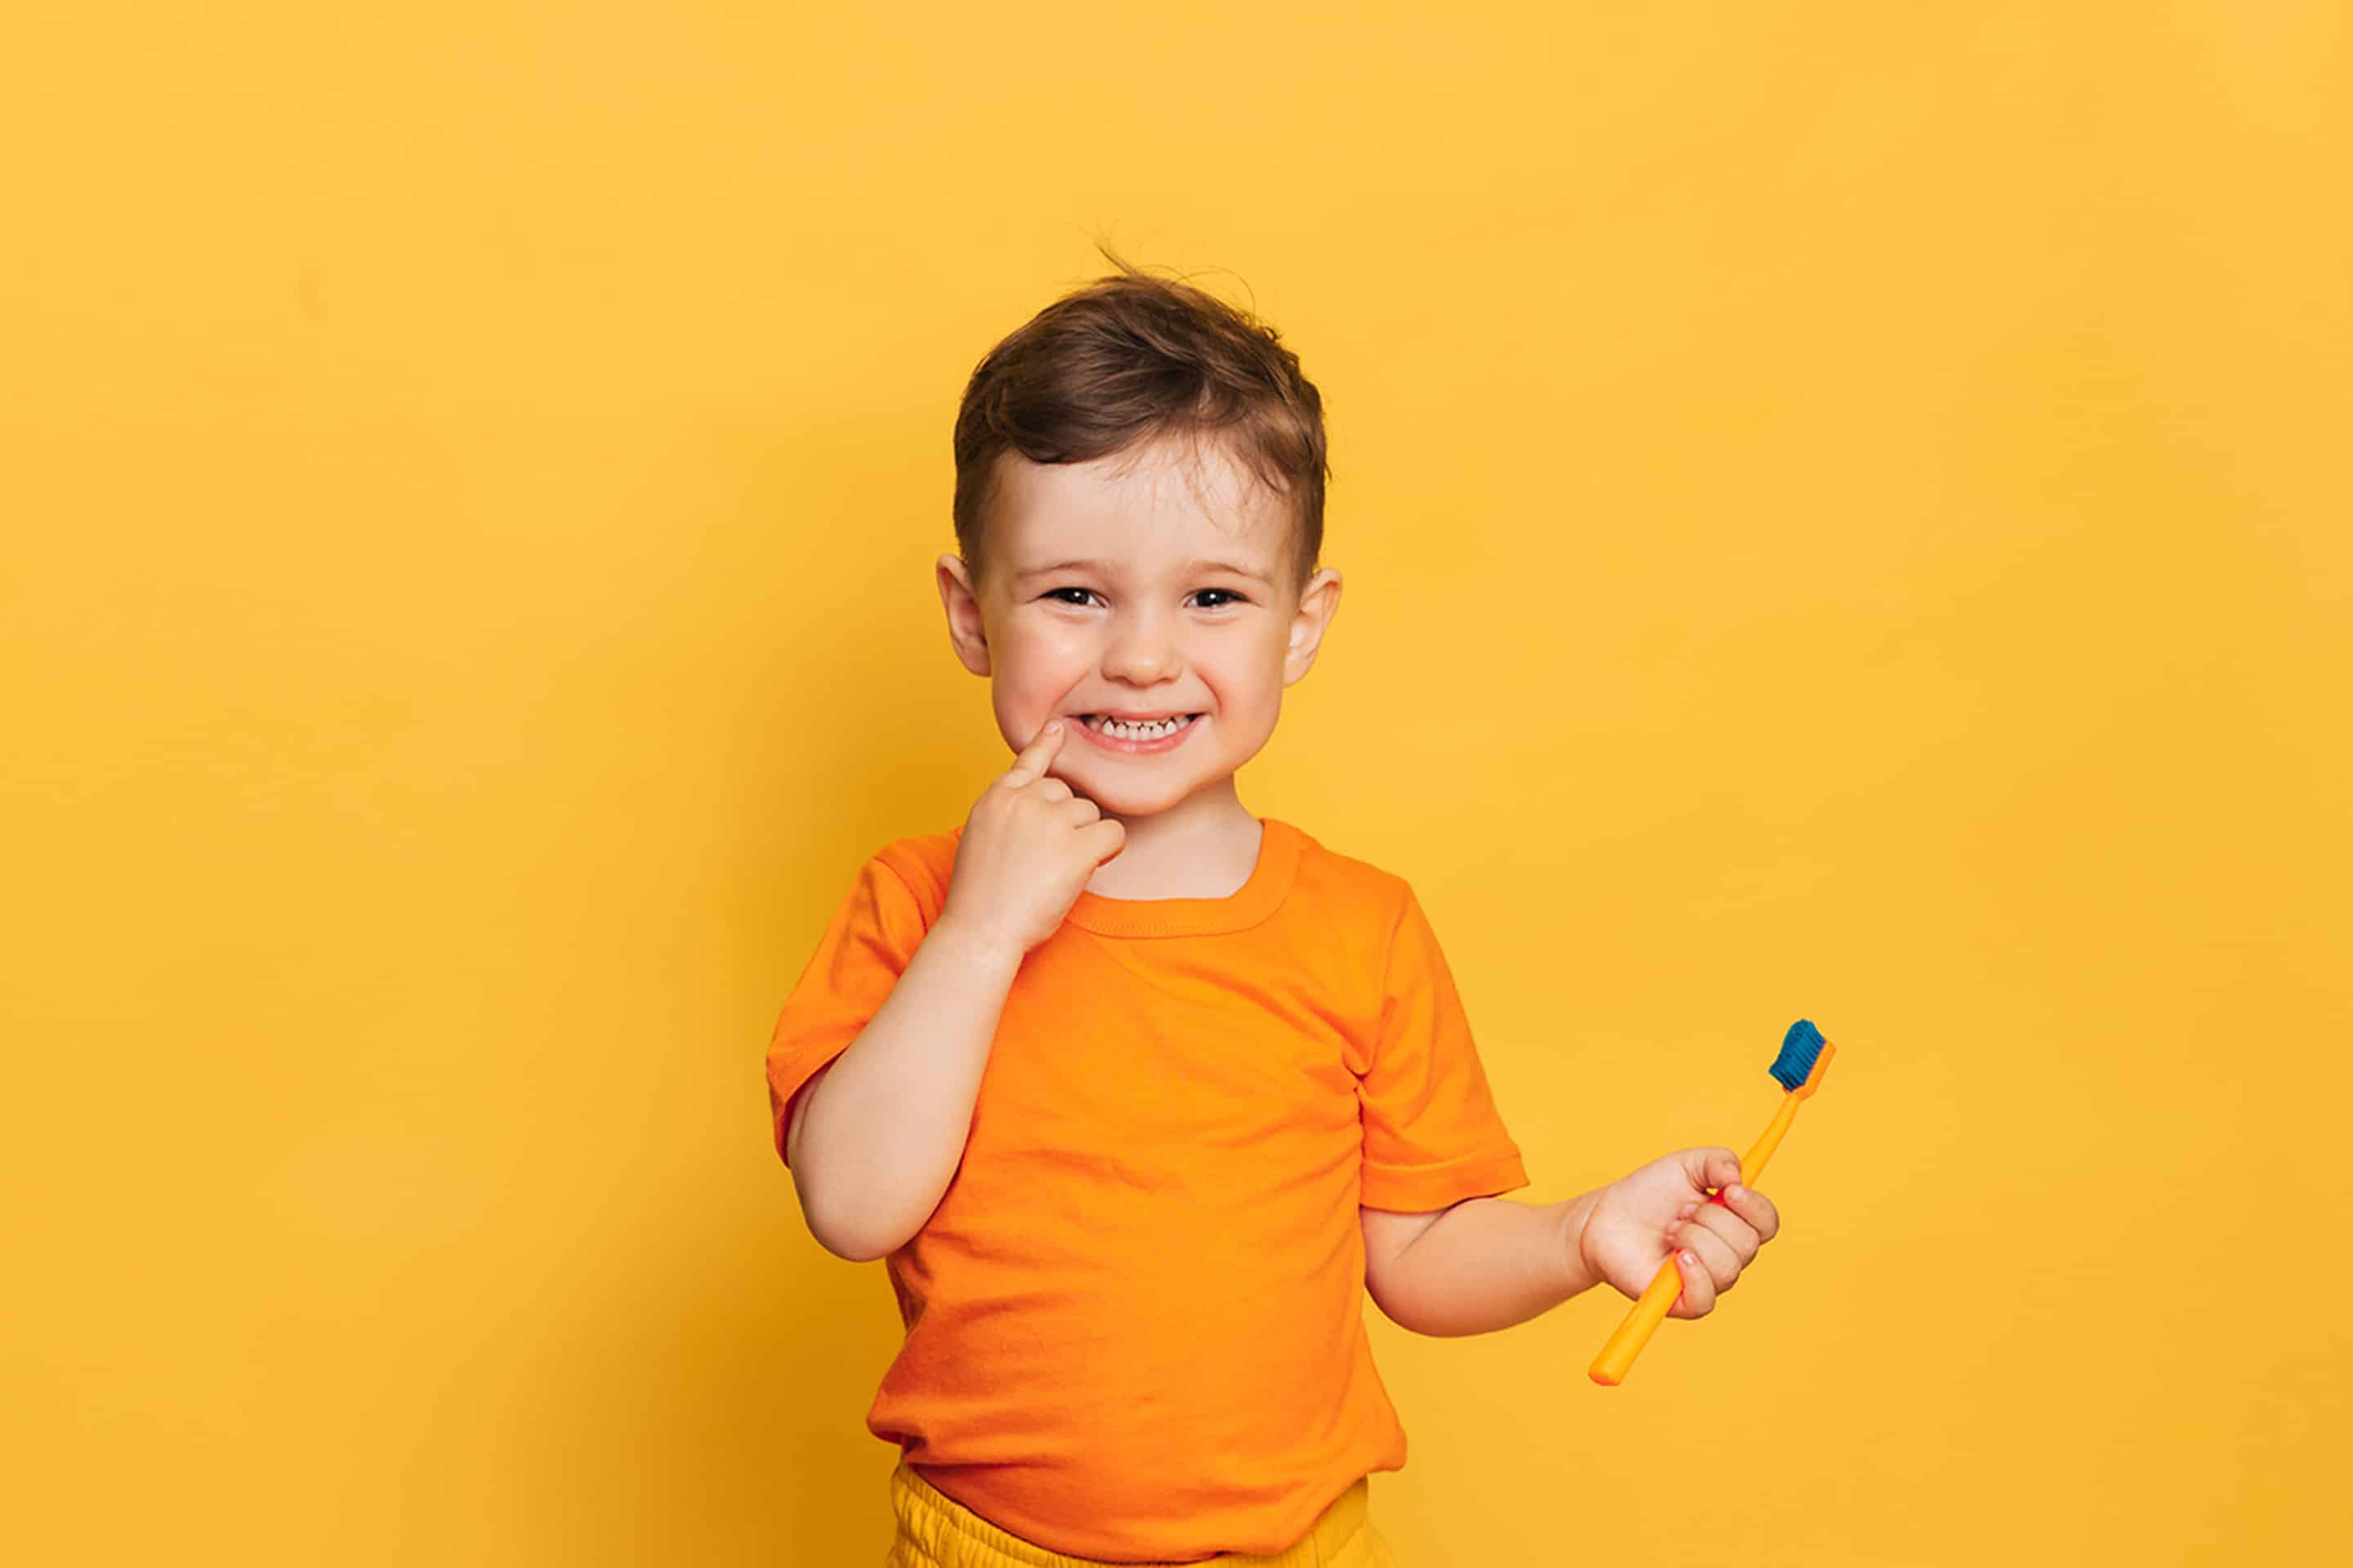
(1147,625)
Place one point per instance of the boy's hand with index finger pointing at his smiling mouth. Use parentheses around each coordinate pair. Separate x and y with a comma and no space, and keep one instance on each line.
(1027,851)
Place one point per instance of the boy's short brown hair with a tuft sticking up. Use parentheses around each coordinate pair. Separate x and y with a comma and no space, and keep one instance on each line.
(1133,359)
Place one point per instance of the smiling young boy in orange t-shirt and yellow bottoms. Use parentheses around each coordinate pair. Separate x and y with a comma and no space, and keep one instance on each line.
(1140,1094)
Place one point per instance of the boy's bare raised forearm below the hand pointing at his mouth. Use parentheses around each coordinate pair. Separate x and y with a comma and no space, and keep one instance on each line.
(879,1131)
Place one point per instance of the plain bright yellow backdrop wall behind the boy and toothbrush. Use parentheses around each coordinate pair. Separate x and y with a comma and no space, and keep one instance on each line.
(1844,514)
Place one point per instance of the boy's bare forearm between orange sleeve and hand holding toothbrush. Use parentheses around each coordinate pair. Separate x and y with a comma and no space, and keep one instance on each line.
(1477,1265)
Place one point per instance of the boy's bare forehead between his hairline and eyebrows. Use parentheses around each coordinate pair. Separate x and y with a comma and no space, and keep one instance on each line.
(1142,512)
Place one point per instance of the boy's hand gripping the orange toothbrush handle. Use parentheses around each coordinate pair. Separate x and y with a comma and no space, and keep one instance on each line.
(1665,1211)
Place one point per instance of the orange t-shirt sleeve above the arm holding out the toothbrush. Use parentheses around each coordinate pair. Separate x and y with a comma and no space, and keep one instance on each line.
(1432,1131)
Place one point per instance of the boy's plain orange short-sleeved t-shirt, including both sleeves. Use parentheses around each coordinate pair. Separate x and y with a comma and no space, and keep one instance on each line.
(1135,1324)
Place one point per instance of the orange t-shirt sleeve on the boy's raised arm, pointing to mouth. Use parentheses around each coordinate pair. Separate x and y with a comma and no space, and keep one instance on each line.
(858,962)
